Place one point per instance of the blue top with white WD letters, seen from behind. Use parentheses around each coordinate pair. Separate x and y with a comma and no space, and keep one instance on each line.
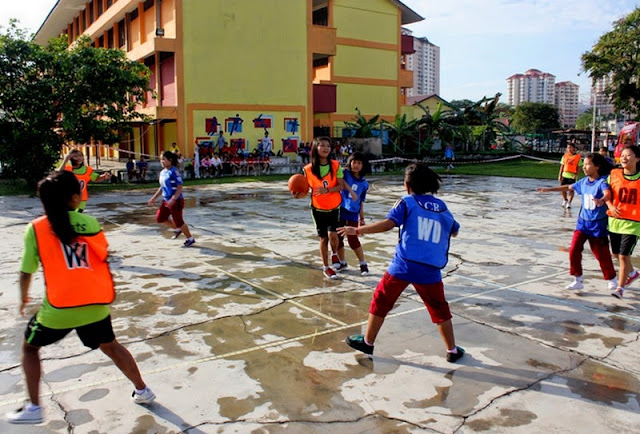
(426,226)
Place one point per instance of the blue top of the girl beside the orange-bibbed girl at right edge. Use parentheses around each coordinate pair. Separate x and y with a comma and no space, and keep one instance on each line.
(592,219)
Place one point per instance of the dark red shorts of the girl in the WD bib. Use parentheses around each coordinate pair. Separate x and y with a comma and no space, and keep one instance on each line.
(390,288)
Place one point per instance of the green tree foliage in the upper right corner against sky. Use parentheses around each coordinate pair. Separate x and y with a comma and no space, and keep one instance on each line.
(617,55)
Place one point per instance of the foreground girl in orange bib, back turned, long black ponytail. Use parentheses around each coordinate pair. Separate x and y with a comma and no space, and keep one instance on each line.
(79,289)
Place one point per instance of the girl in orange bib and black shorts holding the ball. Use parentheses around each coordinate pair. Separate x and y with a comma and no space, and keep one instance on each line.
(324,175)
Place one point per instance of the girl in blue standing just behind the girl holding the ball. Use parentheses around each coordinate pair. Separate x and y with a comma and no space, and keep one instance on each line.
(352,209)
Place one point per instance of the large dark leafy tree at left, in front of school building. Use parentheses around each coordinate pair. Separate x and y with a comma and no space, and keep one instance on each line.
(56,94)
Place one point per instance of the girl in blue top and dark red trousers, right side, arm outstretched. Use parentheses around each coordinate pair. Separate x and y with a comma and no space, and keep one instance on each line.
(592,220)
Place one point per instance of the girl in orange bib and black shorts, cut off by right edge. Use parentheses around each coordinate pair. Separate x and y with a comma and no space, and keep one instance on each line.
(624,215)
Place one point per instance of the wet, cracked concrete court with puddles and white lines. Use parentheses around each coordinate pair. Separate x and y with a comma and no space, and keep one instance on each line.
(241,333)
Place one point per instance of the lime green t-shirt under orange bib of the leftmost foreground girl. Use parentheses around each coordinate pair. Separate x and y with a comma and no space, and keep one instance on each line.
(48,315)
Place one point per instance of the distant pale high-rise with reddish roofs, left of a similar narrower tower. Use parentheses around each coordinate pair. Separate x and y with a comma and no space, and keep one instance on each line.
(532,86)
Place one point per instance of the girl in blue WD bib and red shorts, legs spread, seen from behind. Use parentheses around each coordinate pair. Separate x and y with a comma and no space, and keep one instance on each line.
(426,226)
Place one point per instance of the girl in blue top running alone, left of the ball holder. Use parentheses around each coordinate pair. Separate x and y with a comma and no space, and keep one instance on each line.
(173,202)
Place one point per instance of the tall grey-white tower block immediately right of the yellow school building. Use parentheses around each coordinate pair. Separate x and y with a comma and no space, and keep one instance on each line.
(425,64)
